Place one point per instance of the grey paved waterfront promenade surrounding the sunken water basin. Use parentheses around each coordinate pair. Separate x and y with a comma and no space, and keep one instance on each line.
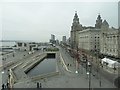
(67,78)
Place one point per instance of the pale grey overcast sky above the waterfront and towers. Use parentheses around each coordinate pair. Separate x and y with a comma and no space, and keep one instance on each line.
(36,21)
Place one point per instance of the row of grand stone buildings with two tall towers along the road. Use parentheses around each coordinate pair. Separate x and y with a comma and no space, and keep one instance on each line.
(101,38)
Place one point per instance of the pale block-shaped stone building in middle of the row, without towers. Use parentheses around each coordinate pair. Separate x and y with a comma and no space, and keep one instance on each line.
(89,39)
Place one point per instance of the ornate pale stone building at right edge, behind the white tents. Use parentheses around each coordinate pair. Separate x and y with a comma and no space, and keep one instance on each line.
(109,42)
